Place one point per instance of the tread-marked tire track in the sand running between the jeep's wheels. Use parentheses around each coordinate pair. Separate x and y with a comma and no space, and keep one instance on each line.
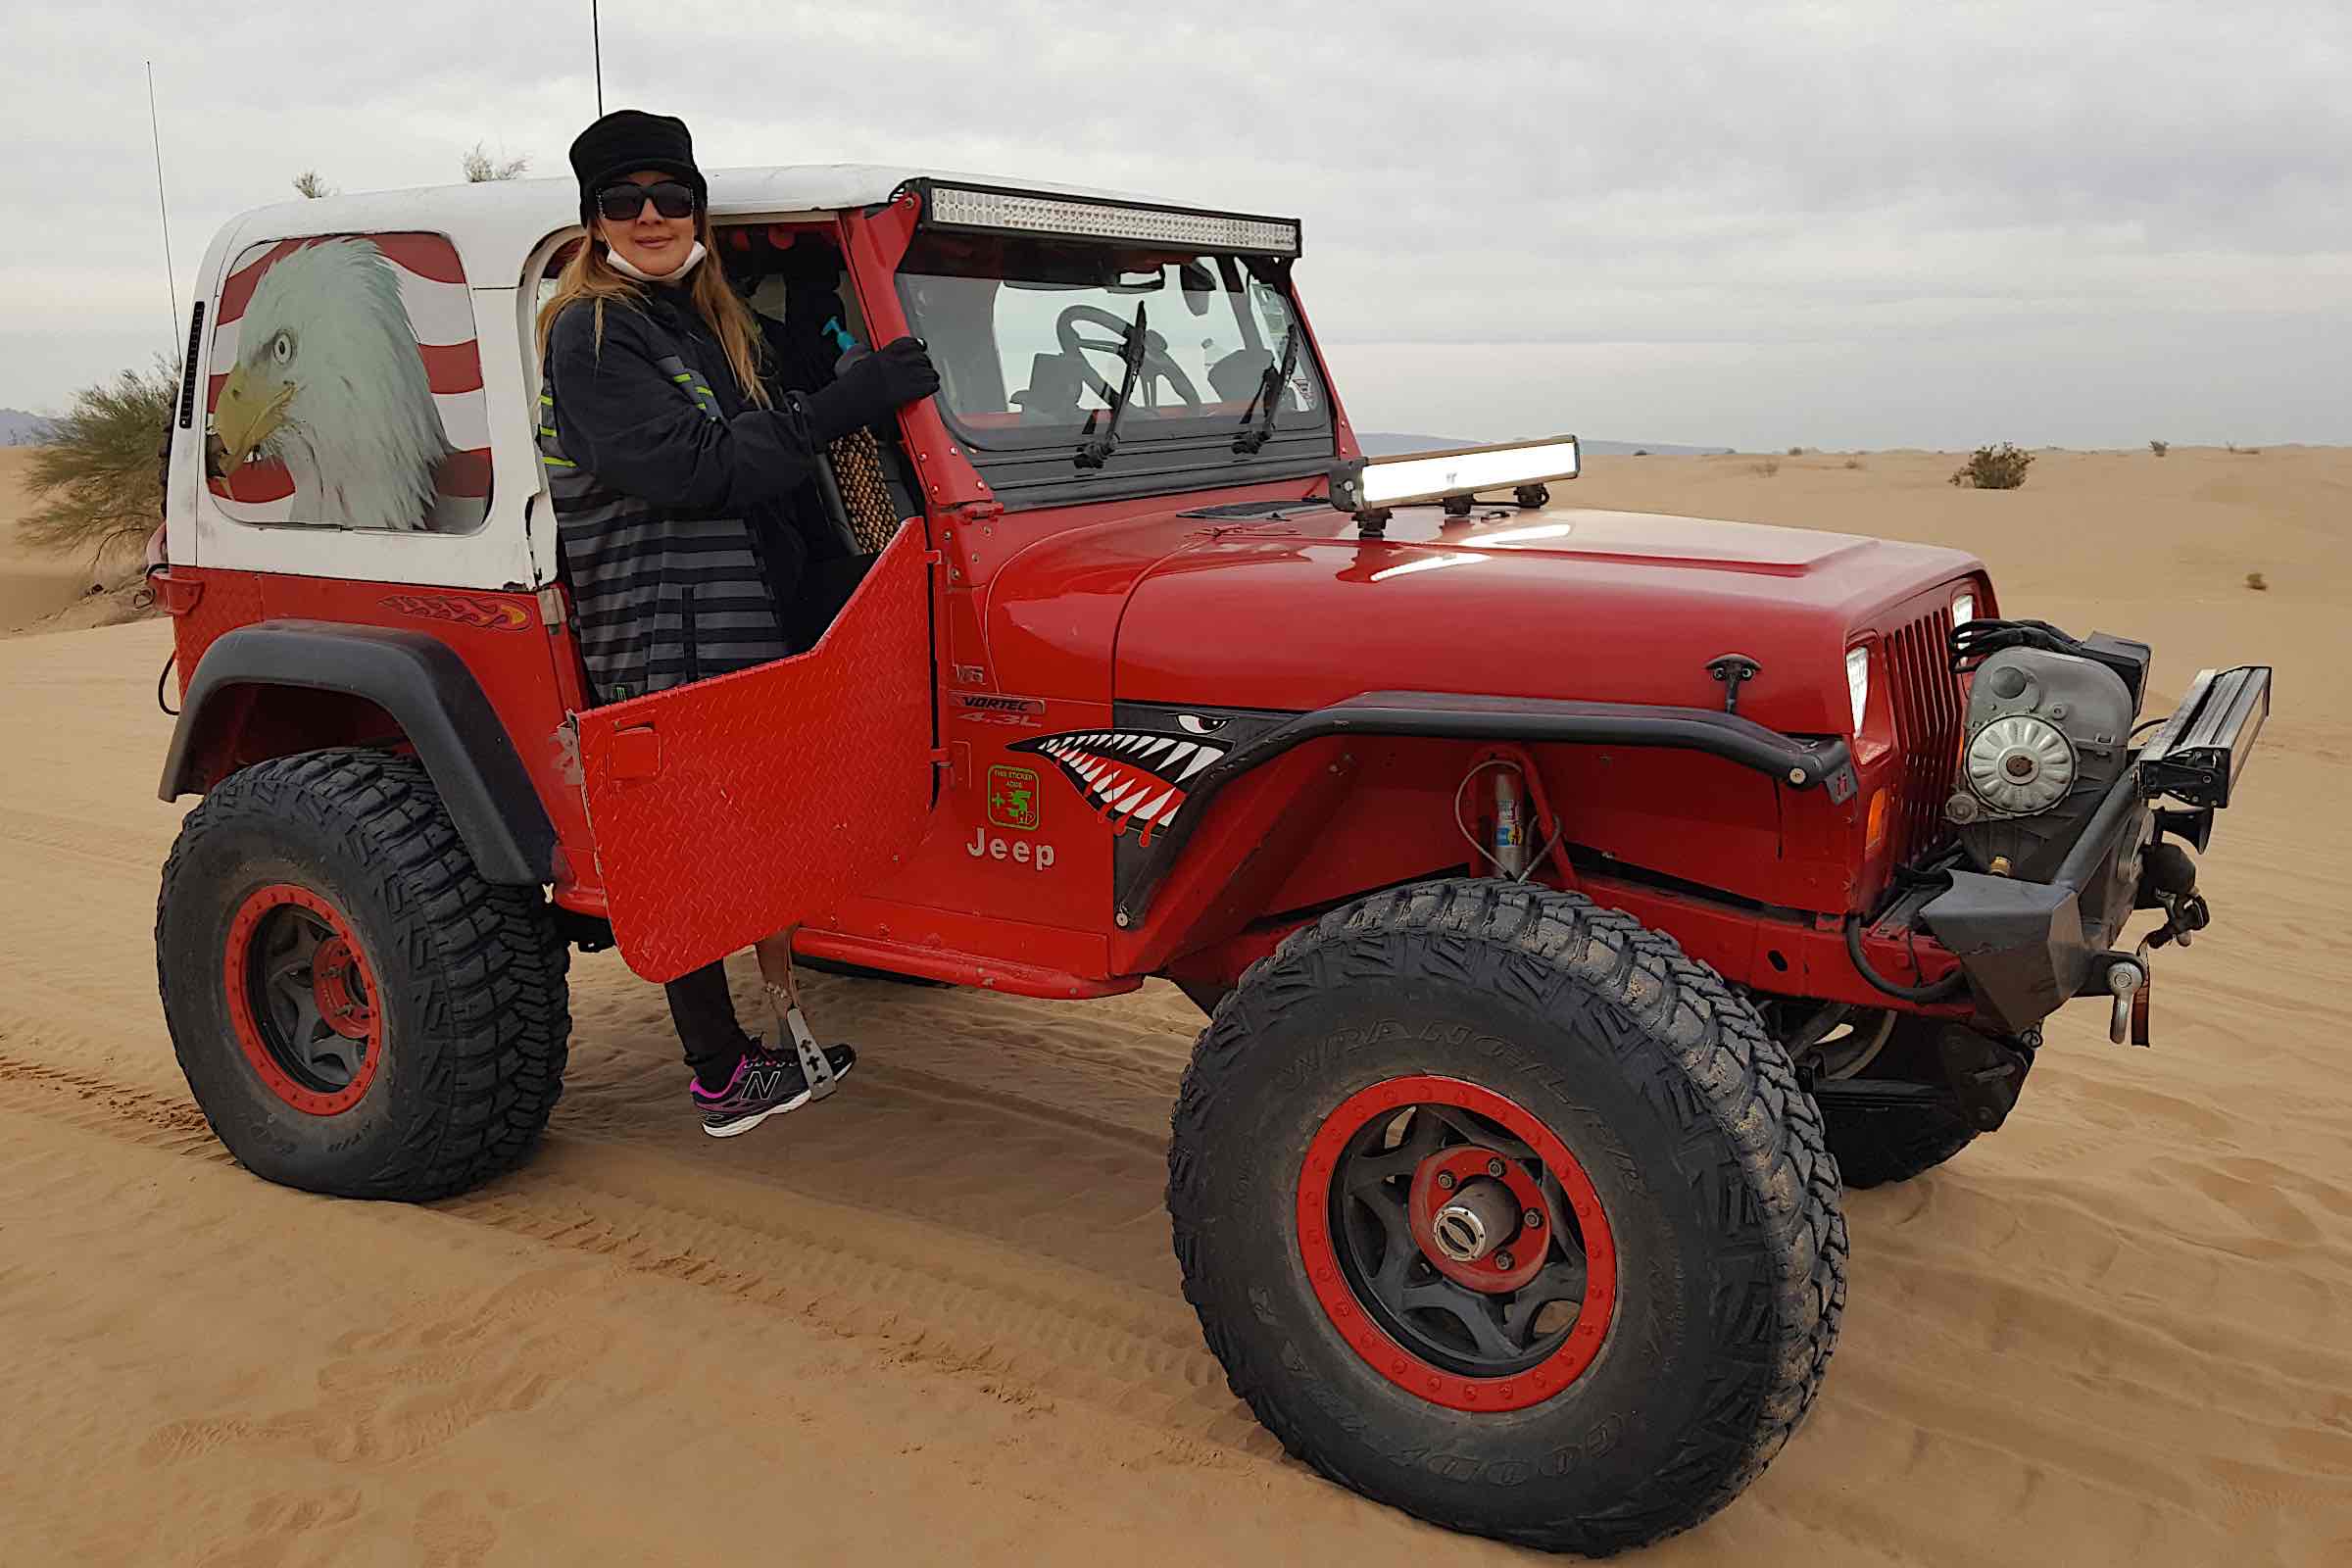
(1024,1327)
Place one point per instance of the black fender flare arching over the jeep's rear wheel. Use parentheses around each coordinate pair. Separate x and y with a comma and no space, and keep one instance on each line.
(427,690)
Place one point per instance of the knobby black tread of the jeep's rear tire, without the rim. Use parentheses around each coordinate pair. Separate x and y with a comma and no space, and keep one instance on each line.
(486,1012)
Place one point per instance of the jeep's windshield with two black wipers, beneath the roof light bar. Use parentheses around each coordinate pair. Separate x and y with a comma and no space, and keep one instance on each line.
(1029,340)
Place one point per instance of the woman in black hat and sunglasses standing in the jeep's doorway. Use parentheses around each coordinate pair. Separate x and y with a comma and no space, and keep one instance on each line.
(671,464)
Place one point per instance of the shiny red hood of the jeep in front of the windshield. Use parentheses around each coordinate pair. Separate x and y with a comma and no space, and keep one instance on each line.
(1570,605)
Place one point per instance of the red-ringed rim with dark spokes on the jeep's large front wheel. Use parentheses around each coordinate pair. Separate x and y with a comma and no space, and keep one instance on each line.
(1457,1245)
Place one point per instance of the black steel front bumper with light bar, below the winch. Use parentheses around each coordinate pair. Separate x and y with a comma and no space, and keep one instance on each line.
(2031,946)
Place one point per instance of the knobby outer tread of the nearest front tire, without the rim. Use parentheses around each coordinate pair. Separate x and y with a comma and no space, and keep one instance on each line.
(1702,1052)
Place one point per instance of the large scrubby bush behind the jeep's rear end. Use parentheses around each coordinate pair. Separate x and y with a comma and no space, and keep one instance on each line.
(98,474)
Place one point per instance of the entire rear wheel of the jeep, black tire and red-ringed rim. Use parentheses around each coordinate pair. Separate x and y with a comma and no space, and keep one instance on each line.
(356,1010)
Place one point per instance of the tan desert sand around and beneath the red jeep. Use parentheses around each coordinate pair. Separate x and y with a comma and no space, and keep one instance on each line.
(937,1320)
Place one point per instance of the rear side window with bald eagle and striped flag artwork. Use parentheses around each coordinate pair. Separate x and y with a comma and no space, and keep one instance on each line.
(347,389)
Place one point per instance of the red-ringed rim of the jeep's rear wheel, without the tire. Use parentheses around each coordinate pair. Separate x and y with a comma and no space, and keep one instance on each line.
(302,1000)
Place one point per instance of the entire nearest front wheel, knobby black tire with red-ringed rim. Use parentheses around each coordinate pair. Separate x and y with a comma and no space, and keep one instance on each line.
(1688,1245)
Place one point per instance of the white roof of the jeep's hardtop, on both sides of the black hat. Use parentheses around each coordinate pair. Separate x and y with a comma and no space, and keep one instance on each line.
(497,225)
